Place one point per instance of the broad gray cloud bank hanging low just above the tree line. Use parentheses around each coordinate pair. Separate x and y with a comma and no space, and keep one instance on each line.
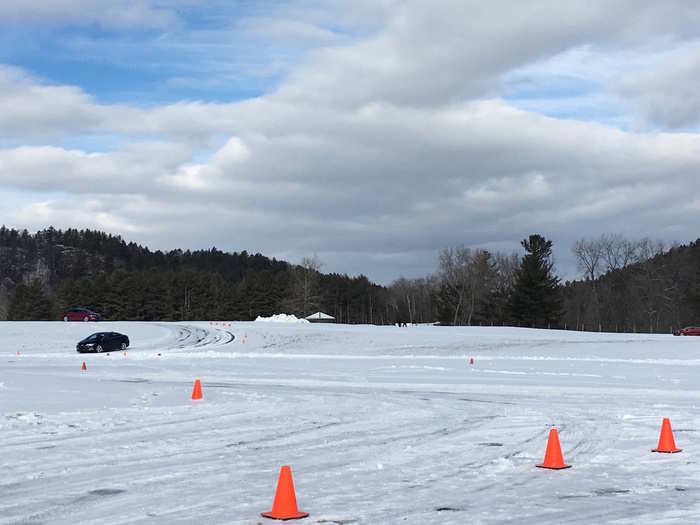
(479,174)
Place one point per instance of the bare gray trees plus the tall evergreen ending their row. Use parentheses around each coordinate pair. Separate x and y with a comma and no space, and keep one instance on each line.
(478,287)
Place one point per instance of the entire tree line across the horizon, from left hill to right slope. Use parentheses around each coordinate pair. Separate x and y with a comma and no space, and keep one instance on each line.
(626,285)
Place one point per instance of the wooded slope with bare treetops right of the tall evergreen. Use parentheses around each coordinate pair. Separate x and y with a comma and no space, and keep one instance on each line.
(633,285)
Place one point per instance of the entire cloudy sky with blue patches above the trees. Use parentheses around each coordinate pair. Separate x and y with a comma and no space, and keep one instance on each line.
(371,133)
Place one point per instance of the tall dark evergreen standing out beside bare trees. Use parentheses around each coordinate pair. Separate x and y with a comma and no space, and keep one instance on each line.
(536,300)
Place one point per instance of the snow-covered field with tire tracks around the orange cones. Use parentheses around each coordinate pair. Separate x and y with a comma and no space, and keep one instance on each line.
(379,424)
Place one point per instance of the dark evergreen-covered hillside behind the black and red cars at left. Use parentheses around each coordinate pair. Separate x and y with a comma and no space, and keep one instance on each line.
(43,274)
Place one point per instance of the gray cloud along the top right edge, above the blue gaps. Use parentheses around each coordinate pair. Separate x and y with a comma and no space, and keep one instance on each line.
(440,52)
